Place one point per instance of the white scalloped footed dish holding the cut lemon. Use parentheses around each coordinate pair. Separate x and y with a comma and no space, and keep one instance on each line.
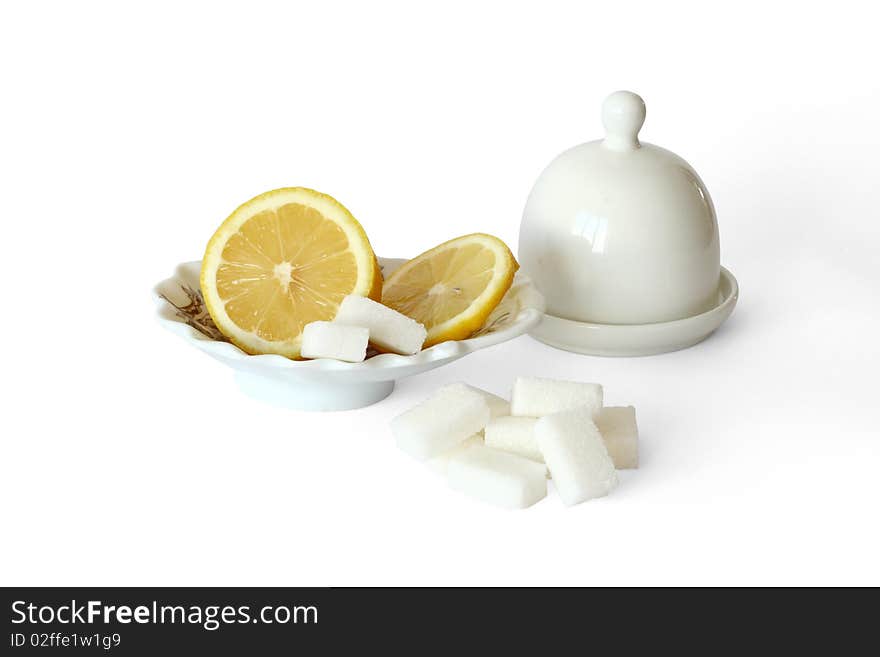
(324,384)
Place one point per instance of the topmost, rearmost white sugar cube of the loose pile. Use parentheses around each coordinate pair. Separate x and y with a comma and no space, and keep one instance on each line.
(534,397)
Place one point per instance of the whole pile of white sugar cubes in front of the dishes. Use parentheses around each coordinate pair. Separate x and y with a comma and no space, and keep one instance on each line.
(501,453)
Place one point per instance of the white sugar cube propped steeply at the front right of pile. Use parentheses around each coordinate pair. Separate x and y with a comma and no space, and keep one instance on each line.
(576,455)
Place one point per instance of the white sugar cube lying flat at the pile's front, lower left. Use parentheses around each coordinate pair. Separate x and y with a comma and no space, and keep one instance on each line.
(499,478)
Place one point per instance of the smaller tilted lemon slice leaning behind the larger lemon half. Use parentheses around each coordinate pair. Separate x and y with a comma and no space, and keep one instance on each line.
(454,287)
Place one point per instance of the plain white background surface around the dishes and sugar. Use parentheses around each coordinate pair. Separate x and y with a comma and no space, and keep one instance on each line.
(129,133)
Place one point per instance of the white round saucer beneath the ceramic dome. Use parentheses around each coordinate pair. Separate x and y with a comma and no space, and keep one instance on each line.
(639,339)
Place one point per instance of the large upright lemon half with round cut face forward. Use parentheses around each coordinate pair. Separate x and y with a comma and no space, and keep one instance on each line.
(283,259)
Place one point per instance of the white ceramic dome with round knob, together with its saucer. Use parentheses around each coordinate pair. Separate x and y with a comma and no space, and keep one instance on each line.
(622,240)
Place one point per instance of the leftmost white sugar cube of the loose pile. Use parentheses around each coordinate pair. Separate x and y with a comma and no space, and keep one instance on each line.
(447,418)
